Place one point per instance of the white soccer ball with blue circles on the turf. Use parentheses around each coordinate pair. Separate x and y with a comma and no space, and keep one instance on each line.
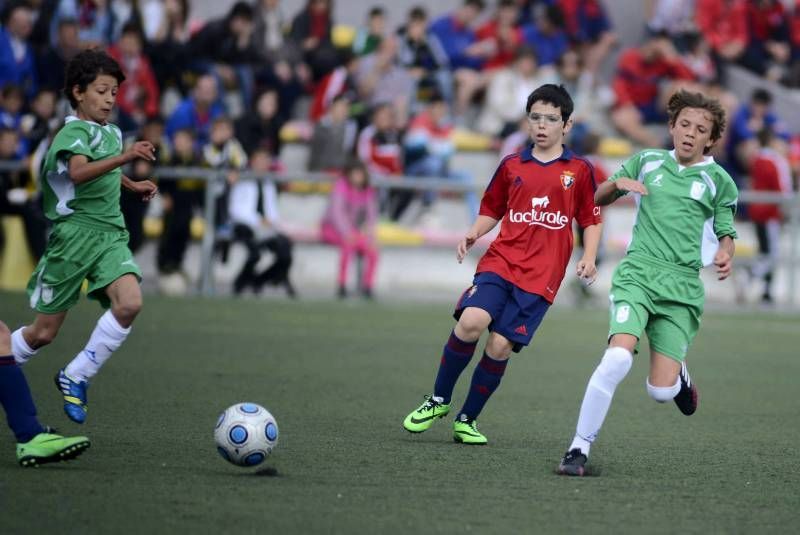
(245,434)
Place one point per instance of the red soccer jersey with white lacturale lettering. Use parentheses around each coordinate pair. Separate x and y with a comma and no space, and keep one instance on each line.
(537,203)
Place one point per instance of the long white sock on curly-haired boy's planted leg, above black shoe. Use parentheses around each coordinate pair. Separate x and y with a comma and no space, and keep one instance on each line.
(610,372)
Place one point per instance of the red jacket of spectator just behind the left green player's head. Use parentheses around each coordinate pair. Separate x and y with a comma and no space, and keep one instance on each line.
(139,92)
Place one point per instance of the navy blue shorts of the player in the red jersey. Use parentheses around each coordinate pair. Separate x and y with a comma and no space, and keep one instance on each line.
(516,314)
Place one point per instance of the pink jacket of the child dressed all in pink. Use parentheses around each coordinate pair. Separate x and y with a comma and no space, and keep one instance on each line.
(351,209)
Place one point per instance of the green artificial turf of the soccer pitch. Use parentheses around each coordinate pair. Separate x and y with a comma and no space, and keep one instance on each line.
(340,378)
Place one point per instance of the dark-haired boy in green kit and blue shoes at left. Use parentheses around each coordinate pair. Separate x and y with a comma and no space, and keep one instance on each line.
(81,180)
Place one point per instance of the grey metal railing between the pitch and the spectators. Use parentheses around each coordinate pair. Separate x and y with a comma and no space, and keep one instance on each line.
(790,205)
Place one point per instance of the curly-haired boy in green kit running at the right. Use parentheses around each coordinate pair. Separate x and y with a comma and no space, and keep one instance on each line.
(685,209)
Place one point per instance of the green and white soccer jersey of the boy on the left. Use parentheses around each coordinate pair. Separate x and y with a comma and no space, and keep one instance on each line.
(95,202)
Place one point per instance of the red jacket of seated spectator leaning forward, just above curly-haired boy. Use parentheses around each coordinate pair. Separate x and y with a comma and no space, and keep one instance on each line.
(636,81)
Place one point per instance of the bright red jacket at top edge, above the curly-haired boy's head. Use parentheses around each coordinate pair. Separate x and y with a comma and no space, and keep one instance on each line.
(722,21)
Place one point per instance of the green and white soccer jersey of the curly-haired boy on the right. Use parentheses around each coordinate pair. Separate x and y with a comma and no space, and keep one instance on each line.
(686,211)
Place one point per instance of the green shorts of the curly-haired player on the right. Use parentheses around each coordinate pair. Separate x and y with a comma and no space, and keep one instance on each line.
(663,300)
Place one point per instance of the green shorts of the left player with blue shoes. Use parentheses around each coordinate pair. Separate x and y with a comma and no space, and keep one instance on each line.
(75,253)
